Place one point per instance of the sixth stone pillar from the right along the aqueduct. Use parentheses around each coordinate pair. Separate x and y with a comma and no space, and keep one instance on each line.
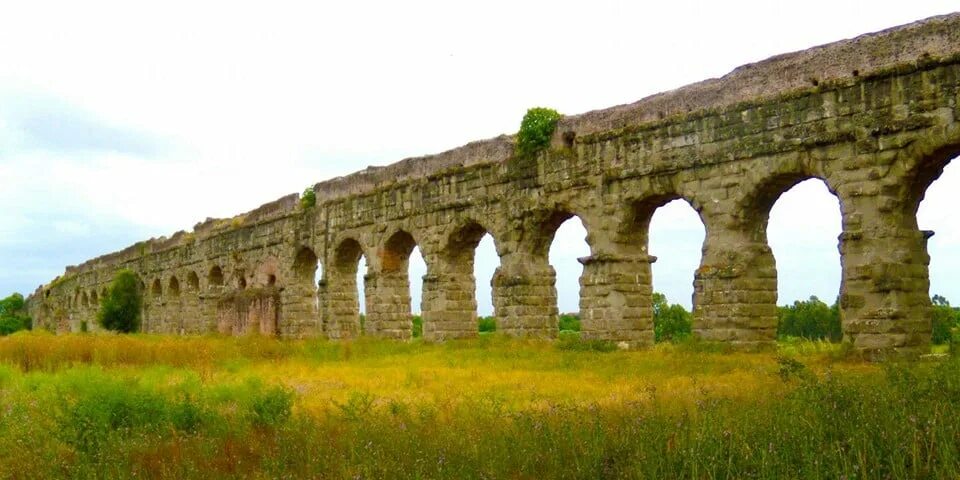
(388,307)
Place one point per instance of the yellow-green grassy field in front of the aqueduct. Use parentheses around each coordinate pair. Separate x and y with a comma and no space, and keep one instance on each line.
(107,406)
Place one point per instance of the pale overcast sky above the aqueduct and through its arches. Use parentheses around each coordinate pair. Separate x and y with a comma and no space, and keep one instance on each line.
(120,122)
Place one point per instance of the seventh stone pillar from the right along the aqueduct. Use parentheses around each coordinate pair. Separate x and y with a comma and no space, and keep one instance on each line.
(339,304)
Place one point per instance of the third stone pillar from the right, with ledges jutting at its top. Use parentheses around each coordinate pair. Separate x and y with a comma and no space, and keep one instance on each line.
(615,299)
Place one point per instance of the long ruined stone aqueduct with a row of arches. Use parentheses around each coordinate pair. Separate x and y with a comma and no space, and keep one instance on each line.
(876,118)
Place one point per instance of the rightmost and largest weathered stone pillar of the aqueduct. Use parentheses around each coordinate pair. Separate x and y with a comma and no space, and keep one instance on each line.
(884,294)
